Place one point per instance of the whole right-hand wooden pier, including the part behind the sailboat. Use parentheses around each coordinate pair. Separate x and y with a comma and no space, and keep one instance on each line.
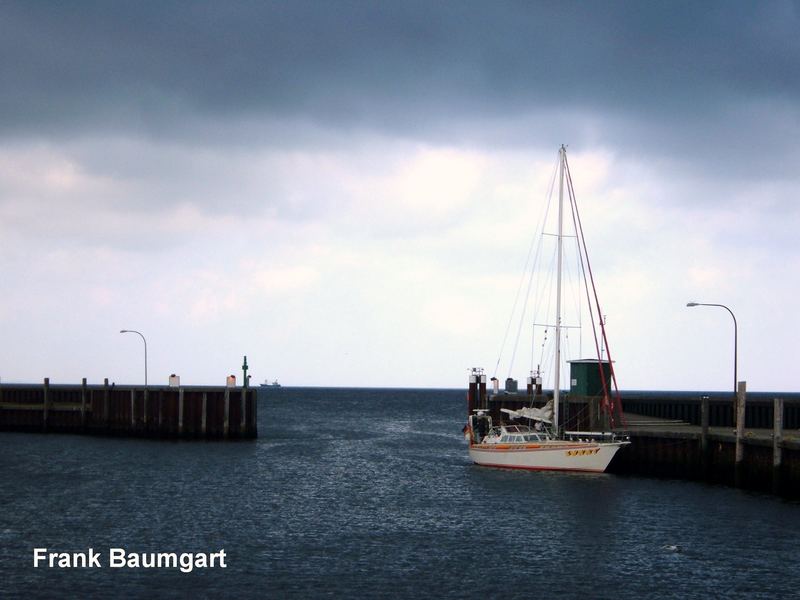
(686,435)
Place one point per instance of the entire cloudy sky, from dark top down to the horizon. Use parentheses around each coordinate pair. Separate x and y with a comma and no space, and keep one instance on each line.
(345,191)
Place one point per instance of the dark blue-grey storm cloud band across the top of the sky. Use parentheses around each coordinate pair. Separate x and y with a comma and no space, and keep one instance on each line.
(403,66)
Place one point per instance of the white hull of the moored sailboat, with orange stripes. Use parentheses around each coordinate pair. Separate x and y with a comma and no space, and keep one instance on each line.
(547,456)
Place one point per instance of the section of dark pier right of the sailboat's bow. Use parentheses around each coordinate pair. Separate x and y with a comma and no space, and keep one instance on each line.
(696,439)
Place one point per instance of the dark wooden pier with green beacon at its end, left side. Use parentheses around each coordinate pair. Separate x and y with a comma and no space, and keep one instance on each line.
(188,412)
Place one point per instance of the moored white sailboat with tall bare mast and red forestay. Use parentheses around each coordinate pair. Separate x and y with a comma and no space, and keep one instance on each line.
(508,430)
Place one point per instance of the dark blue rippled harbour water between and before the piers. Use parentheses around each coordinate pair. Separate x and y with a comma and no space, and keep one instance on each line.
(370,493)
